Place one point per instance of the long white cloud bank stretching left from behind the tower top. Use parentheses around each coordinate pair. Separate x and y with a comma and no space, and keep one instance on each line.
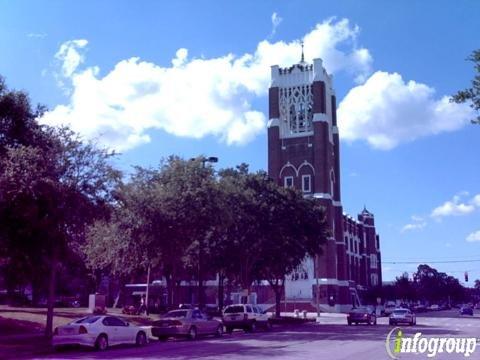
(194,97)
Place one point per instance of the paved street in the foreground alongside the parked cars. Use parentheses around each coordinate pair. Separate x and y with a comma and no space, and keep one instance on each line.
(332,339)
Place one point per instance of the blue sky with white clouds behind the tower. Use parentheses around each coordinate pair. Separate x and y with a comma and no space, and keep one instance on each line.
(154,78)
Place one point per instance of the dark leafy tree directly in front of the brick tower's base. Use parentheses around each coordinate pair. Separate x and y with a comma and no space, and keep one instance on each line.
(270,232)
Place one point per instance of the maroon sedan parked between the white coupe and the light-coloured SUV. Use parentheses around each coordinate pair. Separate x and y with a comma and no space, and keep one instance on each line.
(186,323)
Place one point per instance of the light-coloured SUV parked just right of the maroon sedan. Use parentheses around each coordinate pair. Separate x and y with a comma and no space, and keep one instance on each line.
(245,316)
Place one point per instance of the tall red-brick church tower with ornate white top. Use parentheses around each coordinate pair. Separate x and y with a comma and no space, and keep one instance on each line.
(303,152)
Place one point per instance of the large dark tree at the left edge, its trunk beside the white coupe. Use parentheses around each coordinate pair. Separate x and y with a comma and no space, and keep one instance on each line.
(51,186)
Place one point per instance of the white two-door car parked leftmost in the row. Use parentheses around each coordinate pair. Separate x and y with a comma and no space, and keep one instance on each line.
(99,332)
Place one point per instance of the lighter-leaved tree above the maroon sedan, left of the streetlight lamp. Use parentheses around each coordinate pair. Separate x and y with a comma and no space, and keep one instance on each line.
(165,218)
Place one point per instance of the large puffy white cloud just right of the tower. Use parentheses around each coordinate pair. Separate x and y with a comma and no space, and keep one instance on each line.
(386,111)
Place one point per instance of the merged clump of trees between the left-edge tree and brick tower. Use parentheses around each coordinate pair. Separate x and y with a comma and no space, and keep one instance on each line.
(186,222)
